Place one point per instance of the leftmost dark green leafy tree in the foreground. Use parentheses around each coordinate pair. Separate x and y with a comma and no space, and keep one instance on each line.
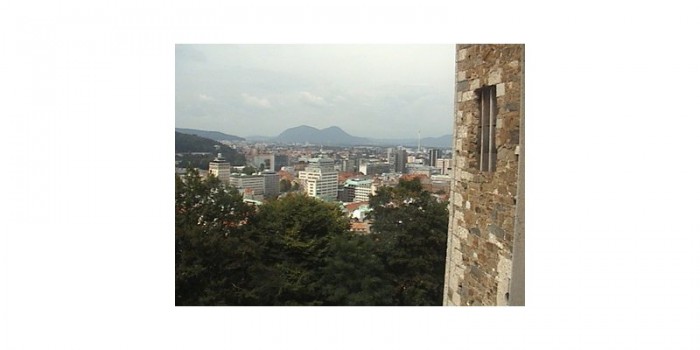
(214,252)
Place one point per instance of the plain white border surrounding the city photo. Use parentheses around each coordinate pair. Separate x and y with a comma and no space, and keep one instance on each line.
(87,139)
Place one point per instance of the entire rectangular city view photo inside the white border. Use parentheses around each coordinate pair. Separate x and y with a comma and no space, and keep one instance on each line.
(348,205)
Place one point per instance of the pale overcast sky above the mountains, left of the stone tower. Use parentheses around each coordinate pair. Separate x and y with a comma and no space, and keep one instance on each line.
(390,91)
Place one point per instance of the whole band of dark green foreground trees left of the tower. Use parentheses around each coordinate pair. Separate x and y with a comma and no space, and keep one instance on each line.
(298,250)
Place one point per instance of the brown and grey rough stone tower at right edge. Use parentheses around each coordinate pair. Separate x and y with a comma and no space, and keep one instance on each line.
(485,246)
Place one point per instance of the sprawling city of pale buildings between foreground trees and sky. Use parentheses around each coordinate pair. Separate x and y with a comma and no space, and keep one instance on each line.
(347,175)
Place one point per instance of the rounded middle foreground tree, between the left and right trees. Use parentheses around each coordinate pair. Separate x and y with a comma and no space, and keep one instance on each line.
(295,233)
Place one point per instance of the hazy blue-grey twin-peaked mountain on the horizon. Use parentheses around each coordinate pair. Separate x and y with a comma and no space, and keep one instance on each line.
(328,136)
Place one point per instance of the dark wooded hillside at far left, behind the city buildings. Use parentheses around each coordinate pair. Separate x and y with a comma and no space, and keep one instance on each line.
(186,144)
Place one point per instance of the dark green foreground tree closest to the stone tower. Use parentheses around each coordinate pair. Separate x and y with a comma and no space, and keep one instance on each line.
(410,228)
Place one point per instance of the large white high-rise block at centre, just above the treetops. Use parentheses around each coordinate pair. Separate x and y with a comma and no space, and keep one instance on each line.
(320,179)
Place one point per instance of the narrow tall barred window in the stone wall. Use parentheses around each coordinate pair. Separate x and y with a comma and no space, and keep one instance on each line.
(487,129)
